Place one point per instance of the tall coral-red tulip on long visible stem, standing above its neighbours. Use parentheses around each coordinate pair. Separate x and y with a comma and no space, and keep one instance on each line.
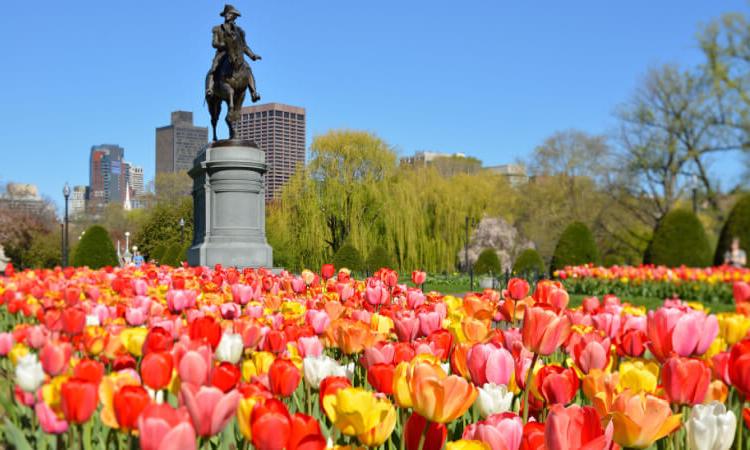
(543,330)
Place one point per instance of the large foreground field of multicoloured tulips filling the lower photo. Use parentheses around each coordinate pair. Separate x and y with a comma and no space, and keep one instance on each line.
(186,358)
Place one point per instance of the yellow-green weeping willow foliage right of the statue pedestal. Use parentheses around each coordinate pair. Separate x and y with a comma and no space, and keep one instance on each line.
(353,192)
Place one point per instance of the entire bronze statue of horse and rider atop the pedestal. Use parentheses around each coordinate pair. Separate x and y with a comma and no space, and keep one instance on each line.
(230,75)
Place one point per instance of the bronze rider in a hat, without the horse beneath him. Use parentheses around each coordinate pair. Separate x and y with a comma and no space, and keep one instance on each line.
(226,37)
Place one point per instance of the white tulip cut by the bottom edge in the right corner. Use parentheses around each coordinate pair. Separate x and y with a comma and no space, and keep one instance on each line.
(711,427)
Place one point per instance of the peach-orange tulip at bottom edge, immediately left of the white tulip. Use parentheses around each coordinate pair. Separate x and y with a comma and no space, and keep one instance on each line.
(641,419)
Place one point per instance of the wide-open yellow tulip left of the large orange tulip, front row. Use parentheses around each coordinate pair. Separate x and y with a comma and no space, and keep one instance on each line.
(355,411)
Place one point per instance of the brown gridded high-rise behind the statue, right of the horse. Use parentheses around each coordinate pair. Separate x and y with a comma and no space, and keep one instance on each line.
(279,130)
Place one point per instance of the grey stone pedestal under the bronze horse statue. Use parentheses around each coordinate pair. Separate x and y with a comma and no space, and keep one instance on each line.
(229,206)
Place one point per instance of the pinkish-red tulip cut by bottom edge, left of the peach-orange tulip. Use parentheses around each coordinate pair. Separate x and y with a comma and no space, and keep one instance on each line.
(576,428)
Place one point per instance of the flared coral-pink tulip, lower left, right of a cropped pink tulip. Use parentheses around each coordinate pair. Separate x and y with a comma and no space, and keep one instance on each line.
(209,408)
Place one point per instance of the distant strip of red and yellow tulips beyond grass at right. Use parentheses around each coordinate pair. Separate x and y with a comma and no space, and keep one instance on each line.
(708,285)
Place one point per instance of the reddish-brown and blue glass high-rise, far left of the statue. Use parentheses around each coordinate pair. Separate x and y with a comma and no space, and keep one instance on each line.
(107,174)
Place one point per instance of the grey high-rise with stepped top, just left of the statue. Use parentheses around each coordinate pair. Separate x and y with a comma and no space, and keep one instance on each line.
(179,143)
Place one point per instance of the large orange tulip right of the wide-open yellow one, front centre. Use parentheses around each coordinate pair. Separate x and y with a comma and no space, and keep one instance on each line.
(437,397)
